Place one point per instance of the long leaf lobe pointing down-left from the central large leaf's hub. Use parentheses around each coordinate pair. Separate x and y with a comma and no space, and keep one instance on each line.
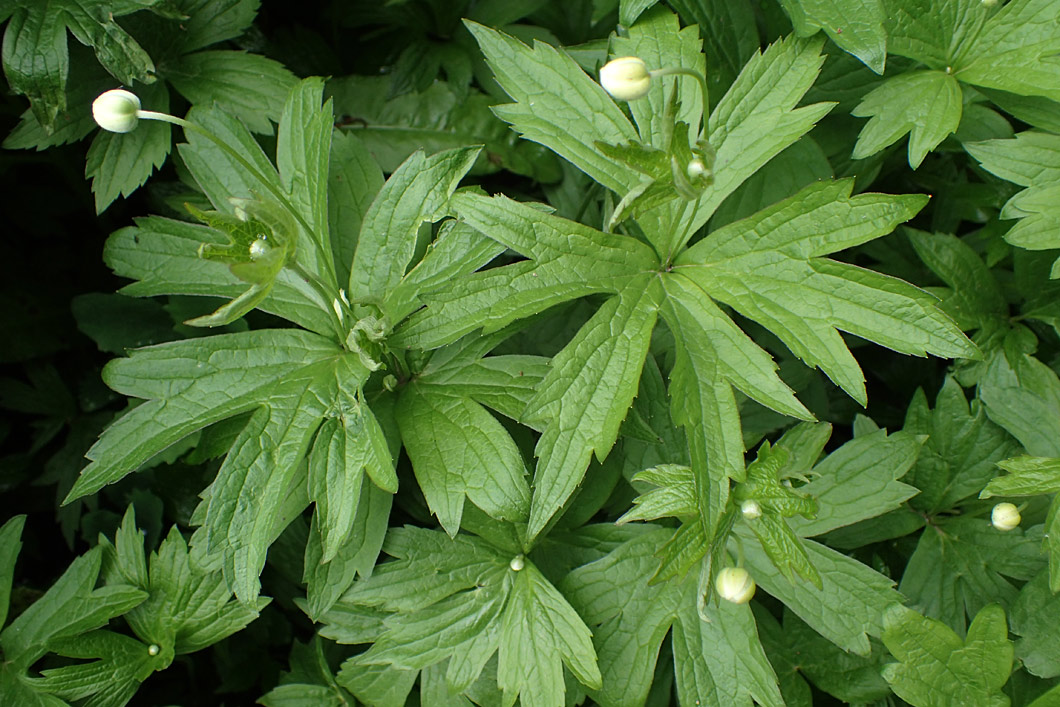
(587,395)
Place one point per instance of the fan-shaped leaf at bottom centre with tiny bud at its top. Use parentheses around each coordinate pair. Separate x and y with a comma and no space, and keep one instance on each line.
(465,600)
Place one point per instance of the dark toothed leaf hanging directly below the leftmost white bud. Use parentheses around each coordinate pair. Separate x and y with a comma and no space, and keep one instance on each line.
(120,164)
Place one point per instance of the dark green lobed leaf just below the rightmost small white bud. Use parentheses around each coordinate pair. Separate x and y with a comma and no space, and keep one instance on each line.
(960,565)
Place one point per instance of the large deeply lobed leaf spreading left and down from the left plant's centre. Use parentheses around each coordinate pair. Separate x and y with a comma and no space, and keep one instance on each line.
(292,381)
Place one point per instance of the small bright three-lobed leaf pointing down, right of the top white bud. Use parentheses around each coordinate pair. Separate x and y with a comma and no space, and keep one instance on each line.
(926,104)
